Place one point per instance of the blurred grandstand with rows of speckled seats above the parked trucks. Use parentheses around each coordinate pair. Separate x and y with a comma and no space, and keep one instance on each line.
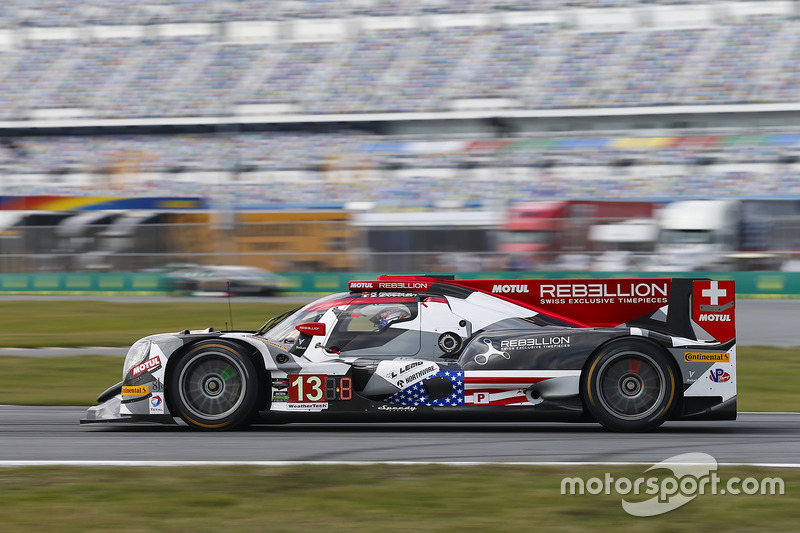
(402,104)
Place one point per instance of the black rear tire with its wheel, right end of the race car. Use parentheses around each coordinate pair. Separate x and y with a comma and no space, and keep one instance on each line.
(630,385)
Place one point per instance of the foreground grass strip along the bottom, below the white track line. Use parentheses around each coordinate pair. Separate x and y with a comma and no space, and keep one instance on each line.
(352,499)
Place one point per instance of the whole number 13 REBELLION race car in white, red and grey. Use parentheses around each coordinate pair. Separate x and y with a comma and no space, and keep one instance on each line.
(627,353)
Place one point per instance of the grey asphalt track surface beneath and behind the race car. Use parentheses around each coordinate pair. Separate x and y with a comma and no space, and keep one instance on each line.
(45,435)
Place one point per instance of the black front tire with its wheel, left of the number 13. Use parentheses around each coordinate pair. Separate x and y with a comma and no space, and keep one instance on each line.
(214,386)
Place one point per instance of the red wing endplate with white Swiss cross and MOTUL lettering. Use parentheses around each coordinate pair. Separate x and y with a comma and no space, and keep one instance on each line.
(713,308)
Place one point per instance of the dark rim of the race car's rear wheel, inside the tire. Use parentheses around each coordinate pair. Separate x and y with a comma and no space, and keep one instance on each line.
(631,385)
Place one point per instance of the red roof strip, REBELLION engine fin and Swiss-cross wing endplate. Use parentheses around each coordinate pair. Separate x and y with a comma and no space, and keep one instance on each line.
(692,308)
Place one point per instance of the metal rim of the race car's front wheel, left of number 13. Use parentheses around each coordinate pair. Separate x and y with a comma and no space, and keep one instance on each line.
(212,385)
